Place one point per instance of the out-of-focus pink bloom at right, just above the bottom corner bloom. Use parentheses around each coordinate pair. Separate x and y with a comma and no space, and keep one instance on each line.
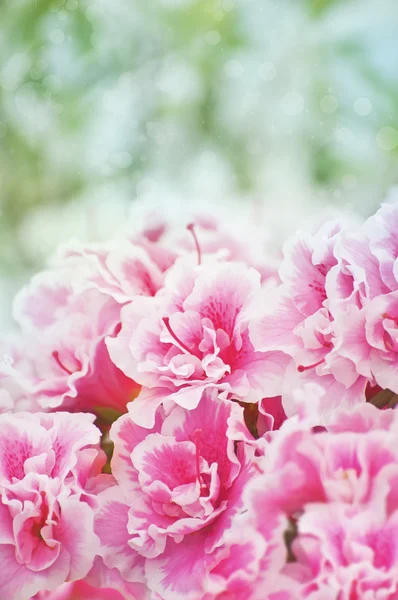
(344,466)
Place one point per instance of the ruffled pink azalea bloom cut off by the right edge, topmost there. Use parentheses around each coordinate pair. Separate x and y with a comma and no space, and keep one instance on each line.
(365,314)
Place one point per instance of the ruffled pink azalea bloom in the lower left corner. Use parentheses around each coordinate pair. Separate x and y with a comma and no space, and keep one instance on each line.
(46,509)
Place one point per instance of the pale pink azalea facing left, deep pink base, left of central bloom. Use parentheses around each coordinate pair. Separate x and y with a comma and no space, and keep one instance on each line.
(66,362)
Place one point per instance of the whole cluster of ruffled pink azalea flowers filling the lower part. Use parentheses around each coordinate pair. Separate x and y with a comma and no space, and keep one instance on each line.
(183,417)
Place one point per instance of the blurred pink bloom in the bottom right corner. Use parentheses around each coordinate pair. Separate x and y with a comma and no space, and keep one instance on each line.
(346,553)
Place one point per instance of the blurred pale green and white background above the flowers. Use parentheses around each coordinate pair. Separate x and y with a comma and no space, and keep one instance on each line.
(293,103)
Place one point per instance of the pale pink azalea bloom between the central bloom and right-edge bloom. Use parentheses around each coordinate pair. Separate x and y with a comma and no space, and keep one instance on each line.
(298,322)
